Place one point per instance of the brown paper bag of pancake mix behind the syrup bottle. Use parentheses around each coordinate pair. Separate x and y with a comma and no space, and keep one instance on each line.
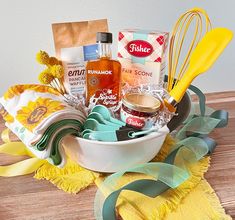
(75,43)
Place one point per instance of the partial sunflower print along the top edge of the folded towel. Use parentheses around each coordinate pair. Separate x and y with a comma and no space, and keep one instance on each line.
(18,89)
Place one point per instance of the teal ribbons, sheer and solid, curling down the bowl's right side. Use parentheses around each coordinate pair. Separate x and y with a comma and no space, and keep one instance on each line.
(193,143)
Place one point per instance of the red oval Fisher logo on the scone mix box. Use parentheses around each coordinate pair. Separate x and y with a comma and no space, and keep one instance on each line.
(139,48)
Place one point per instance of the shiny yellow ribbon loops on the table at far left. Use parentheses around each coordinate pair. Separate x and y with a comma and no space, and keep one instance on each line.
(23,167)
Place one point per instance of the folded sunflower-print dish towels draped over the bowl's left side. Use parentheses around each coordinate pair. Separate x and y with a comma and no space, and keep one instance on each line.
(40,117)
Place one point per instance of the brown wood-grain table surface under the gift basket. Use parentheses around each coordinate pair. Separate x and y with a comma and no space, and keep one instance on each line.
(26,198)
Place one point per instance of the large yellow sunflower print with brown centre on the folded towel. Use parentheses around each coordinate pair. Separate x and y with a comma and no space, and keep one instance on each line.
(35,112)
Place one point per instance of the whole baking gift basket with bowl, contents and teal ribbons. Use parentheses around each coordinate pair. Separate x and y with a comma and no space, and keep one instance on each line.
(110,115)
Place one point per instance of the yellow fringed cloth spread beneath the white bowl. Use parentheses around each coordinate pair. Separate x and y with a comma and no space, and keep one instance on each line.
(194,199)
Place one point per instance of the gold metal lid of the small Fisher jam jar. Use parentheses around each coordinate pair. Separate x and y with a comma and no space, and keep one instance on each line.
(141,102)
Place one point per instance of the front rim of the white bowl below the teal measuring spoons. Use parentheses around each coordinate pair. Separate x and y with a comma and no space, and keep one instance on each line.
(163,130)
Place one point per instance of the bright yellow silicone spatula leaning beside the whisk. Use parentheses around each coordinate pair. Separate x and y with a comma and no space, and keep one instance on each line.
(203,57)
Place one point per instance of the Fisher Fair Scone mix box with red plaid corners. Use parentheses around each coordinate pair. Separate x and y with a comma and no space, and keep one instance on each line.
(142,56)
